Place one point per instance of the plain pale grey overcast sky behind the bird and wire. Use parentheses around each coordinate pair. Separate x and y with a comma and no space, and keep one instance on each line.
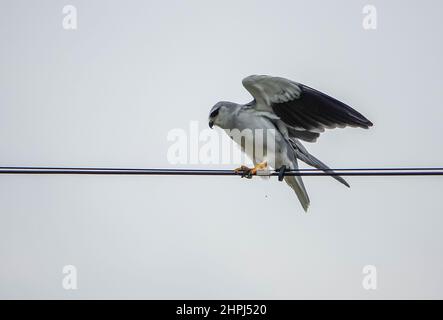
(108,93)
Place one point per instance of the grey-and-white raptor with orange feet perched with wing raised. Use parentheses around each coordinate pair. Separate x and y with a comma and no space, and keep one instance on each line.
(294,112)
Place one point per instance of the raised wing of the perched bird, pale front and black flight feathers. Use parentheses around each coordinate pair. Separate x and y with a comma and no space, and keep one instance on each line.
(300,106)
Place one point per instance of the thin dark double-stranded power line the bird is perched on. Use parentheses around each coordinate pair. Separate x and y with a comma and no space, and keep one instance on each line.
(205,172)
